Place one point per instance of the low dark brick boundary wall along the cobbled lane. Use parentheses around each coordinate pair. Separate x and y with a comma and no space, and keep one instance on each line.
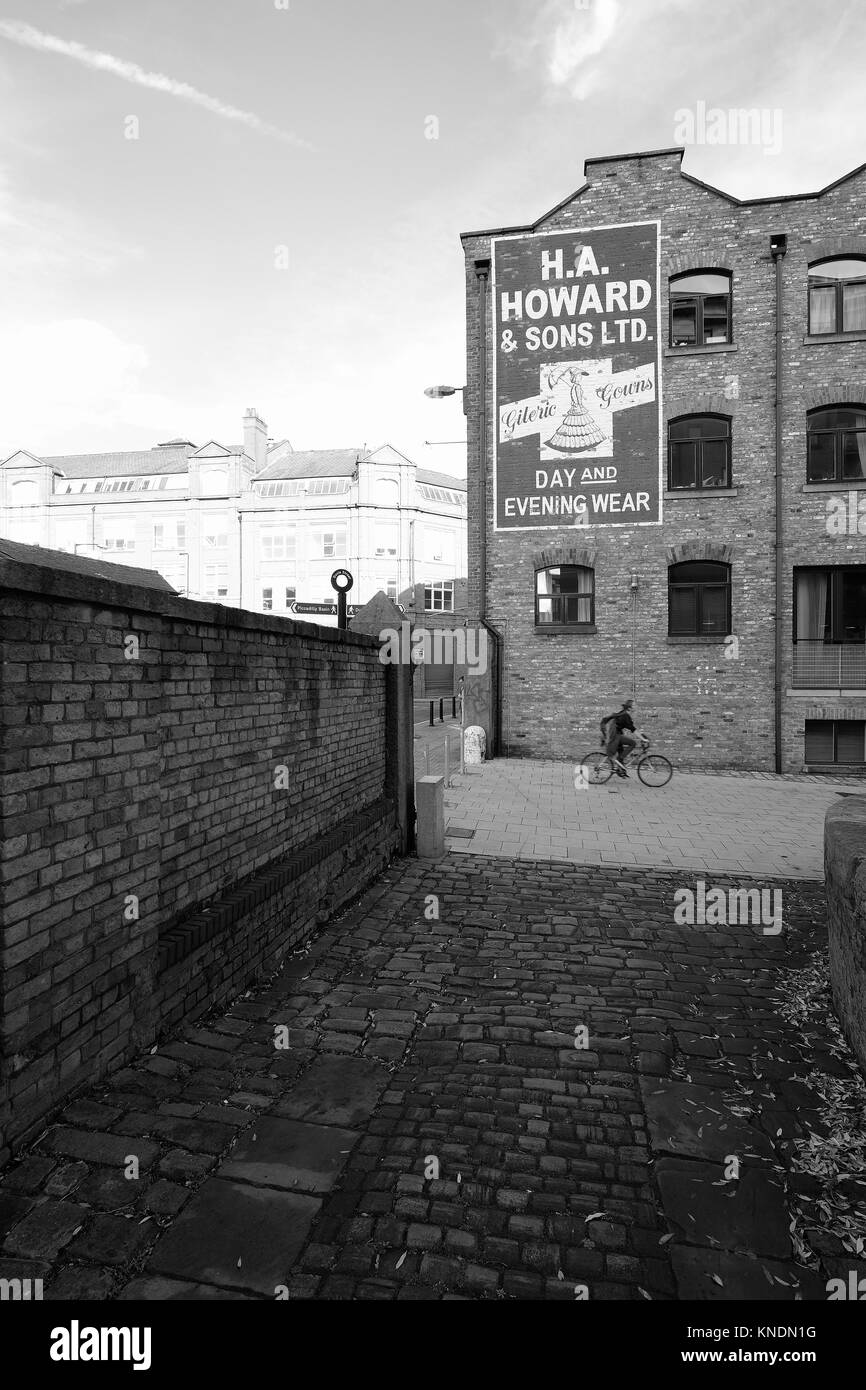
(181,783)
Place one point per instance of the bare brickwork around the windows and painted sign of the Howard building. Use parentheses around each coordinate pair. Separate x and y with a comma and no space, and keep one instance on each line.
(704,708)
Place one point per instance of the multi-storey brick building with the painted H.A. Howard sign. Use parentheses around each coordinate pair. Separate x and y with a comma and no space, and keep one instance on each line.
(657,515)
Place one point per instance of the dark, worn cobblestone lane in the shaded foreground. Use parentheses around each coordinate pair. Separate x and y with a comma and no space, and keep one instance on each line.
(454,1046)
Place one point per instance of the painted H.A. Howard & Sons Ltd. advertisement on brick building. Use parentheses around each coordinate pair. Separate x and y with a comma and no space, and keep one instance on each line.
(578,379)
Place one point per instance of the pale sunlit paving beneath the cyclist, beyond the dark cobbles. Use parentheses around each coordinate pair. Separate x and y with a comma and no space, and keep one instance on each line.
(743,824)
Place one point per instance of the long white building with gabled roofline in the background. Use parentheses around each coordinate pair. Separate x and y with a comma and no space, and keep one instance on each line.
(255,526)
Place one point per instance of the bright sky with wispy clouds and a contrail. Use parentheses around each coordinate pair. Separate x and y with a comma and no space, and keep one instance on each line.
(218,205)
